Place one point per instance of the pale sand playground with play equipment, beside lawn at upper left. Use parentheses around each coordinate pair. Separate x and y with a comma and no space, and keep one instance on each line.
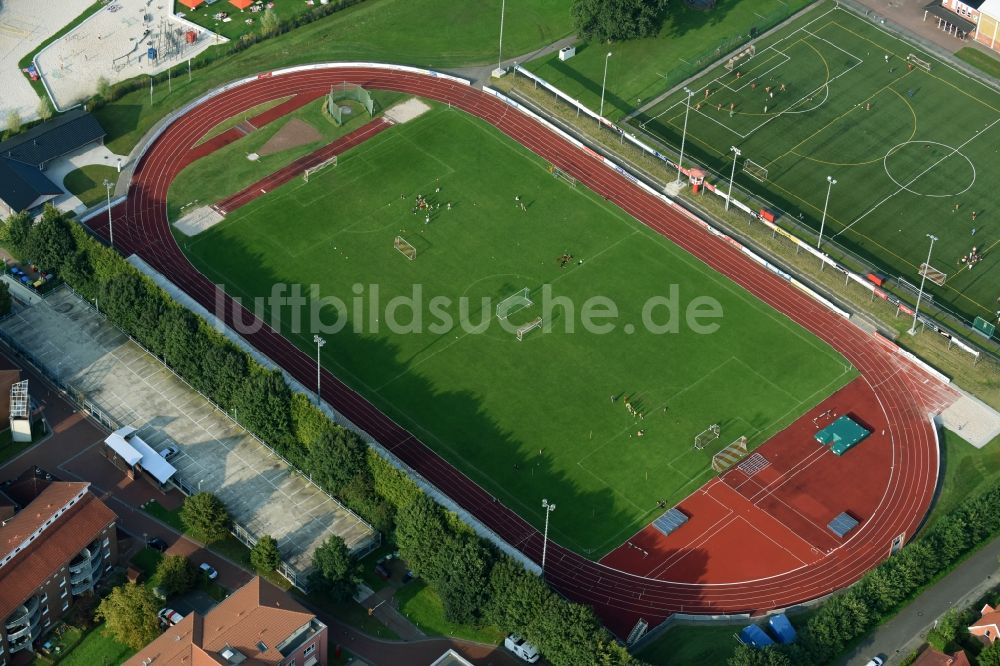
(115,44)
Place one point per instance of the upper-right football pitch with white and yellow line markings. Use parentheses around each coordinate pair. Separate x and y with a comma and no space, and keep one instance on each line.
(914,152)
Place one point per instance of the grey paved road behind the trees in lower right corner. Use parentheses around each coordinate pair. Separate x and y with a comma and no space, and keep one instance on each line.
(906,631)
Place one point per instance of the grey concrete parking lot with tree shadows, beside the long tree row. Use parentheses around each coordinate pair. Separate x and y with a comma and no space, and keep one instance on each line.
(77,347)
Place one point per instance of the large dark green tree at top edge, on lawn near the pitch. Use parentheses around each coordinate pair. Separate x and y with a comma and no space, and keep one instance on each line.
(617,20)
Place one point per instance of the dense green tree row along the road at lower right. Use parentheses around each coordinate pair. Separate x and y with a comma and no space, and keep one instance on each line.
(883,590)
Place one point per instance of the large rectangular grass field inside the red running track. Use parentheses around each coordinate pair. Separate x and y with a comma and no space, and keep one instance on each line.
(530,419)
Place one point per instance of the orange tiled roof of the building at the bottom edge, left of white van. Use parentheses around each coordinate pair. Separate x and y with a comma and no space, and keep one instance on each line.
(257,612)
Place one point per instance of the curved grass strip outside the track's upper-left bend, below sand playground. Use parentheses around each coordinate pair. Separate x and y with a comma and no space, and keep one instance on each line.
(425,33)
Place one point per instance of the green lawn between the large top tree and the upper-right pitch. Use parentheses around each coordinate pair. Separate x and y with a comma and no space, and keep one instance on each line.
(641,69)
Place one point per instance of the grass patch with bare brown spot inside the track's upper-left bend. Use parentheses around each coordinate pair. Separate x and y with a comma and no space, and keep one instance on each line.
(227,170)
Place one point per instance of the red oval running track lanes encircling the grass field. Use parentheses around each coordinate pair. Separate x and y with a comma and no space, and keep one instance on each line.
(619,598)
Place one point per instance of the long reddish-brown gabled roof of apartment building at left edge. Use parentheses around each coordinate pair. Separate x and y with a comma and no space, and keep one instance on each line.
(57,544)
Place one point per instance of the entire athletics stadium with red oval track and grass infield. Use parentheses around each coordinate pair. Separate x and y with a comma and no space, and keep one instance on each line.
(765,462)
